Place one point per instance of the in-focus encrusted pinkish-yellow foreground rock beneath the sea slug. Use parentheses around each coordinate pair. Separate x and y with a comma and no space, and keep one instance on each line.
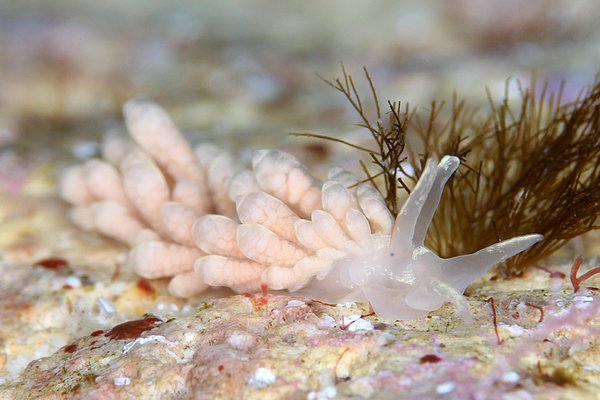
(275,347)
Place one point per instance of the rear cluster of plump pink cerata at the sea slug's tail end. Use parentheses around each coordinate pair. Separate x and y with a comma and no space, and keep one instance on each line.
(147,194)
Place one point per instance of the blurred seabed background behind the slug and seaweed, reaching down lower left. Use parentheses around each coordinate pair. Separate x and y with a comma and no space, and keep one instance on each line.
(239,73)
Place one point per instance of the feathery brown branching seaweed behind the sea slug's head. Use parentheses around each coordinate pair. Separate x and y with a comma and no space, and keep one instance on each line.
(531,168)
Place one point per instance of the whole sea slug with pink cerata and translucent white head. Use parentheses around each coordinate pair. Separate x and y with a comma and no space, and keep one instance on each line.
(196,216)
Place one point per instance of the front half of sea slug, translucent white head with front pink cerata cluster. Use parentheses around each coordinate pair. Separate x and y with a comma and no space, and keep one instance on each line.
(336,244)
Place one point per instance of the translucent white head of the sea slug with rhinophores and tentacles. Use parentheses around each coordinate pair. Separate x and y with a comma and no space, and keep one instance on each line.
(404,279)
